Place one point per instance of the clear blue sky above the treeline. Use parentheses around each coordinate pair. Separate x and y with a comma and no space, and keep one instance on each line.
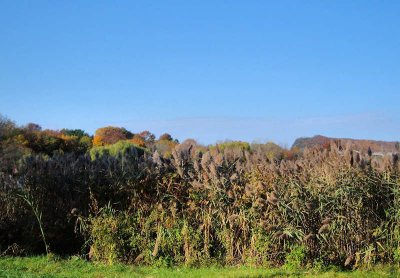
(209,70)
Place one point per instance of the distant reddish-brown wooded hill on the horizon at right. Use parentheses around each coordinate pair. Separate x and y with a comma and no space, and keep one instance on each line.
(355,144)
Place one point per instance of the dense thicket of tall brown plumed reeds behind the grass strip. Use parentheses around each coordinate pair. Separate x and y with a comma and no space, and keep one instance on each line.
(228,204)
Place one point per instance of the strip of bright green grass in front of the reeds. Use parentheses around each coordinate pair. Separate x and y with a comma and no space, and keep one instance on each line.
(75,267)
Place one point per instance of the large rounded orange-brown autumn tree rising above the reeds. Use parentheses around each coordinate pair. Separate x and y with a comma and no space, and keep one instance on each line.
(110,135)
